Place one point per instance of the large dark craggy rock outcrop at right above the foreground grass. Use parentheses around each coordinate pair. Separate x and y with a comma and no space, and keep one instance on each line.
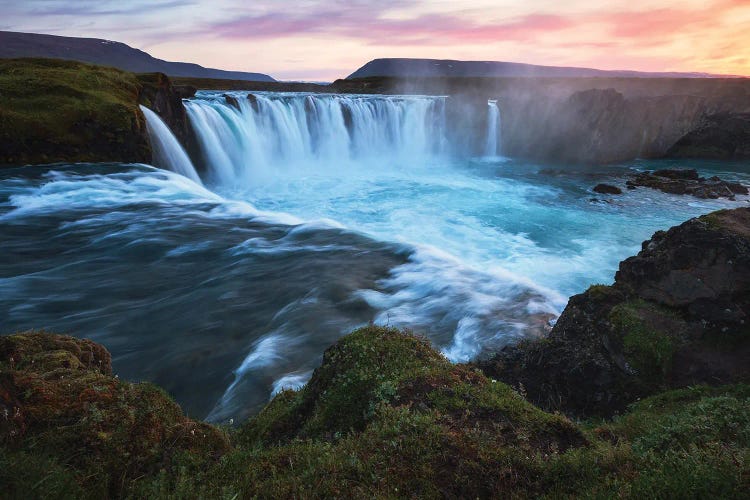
(678,314)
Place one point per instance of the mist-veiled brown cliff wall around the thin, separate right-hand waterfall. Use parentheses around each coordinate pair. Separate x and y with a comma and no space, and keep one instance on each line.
(592,120)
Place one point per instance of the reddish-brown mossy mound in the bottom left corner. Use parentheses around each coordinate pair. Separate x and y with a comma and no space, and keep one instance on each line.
(65,420)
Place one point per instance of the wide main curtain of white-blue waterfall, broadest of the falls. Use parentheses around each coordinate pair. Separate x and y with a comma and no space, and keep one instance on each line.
(262,134)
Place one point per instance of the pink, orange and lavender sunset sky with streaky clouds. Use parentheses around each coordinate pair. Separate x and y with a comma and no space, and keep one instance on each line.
(321,40)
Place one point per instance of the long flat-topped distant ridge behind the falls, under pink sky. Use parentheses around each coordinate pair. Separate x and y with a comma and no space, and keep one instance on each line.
(421,68)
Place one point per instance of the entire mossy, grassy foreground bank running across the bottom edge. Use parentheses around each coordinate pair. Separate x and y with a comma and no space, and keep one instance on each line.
(384,416)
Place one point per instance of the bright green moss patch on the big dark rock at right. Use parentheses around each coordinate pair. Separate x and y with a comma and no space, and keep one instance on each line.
(647,349)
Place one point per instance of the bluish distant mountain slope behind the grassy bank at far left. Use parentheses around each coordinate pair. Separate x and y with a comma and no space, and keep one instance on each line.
(109,53)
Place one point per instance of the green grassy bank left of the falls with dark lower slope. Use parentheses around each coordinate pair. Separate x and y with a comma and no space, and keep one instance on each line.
(54,110)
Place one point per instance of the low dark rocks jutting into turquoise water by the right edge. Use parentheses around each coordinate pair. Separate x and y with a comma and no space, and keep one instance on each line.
(687,181)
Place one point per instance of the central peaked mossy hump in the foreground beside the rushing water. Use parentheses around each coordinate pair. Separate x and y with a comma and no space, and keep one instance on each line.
(377,367)
